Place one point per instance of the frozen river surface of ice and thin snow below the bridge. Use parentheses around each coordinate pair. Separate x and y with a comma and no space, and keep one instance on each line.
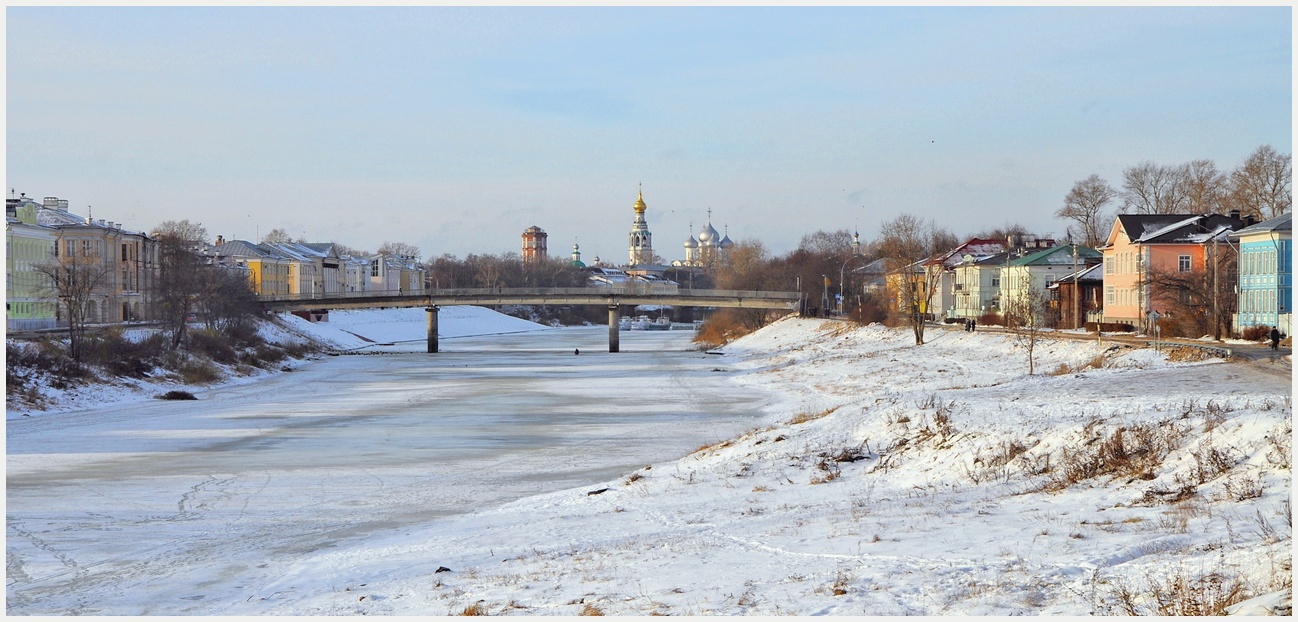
(186,507)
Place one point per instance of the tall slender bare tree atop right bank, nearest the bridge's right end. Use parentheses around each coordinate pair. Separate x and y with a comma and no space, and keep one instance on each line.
(908,243)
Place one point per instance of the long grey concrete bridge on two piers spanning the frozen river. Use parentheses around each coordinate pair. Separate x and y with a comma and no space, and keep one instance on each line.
(611,297)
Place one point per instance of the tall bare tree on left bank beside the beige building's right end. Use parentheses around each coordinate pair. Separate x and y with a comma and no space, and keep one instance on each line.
(180,280)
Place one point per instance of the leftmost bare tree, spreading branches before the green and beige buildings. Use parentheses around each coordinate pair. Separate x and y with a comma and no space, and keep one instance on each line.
(79,279)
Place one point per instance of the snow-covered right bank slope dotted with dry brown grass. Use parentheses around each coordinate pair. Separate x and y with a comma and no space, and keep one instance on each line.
(890,480)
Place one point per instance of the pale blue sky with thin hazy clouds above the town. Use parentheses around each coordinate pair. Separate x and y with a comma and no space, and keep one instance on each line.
(456,129)
